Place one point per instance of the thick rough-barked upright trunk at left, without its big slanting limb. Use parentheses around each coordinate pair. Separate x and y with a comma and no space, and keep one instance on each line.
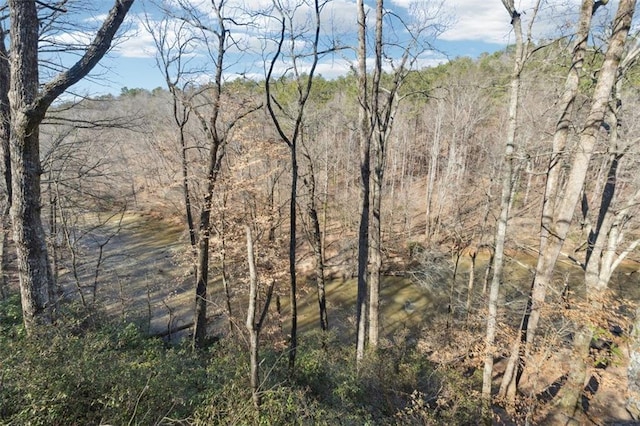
(36,280)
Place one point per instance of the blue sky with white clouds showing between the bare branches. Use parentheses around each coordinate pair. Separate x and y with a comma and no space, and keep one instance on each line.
(455,28)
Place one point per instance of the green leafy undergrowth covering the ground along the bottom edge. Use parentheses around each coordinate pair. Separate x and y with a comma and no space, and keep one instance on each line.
(89,370)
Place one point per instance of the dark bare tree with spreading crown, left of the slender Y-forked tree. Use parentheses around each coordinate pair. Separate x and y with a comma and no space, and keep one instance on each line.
(216,114)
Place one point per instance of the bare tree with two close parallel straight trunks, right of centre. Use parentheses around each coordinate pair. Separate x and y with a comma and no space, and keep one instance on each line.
(378,105)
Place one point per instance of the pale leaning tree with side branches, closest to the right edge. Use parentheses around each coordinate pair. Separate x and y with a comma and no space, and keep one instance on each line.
(605,227)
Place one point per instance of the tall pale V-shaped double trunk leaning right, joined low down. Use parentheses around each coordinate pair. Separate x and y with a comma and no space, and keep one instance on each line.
(557,218)
